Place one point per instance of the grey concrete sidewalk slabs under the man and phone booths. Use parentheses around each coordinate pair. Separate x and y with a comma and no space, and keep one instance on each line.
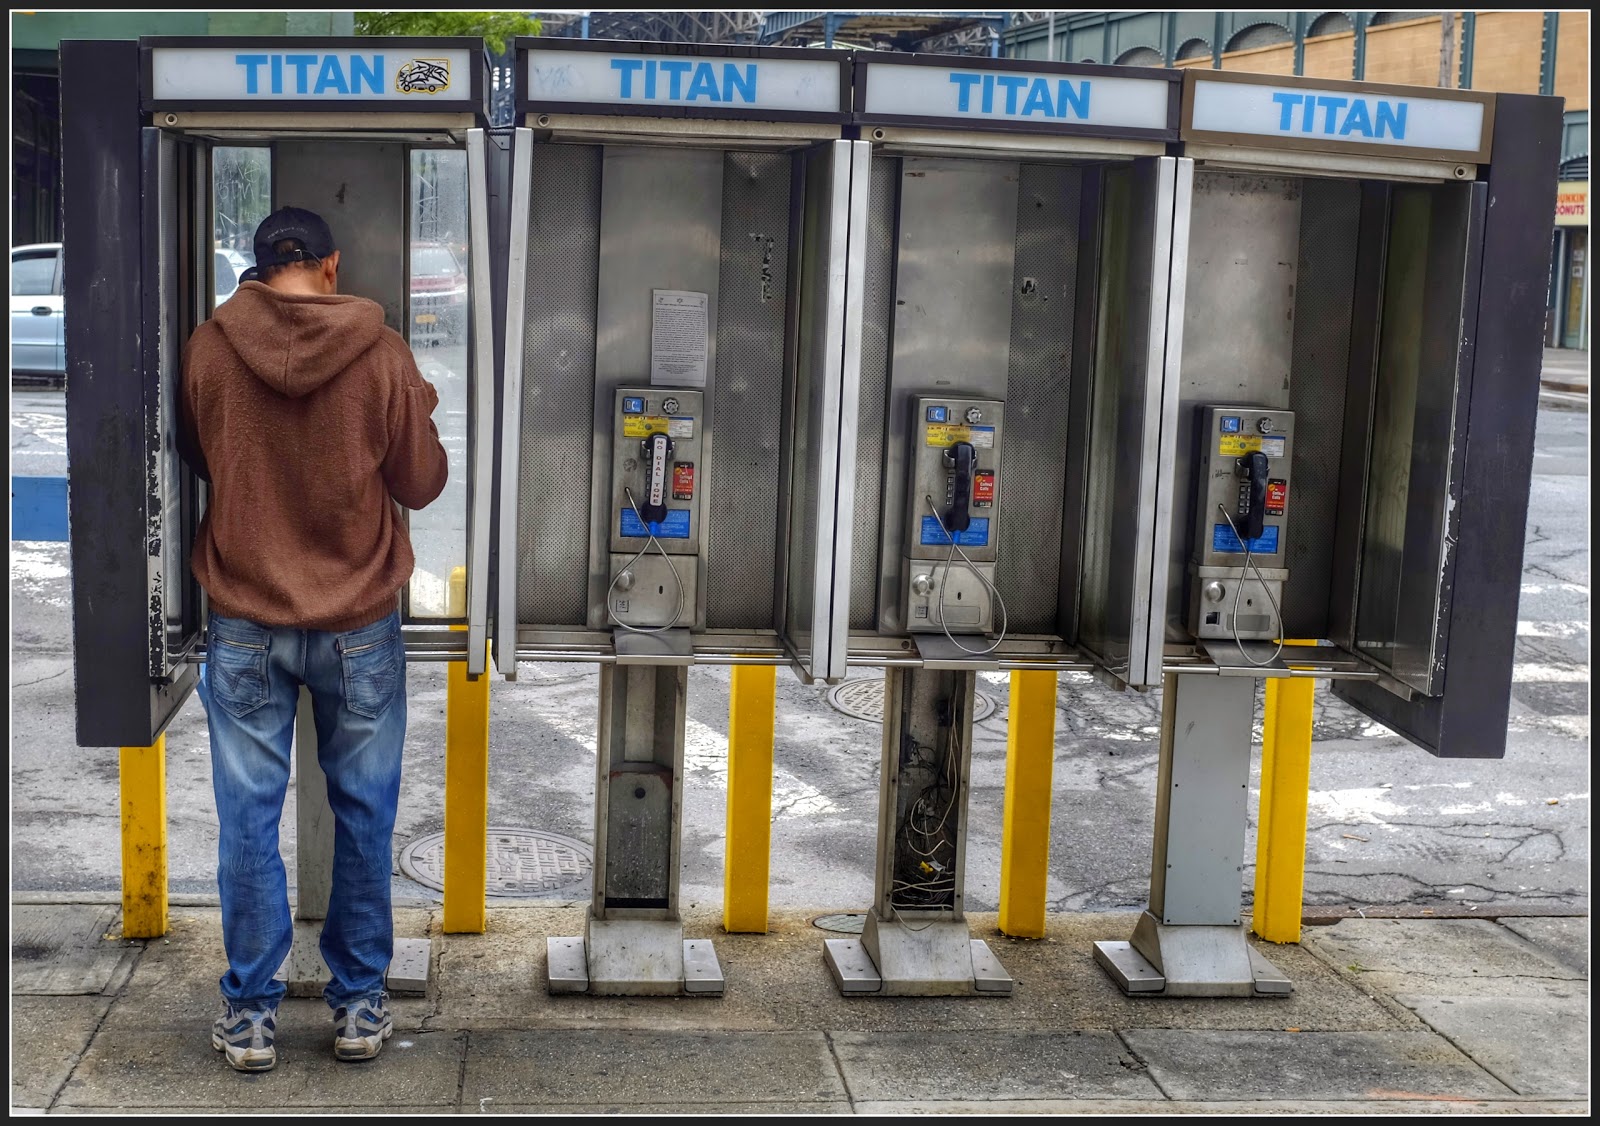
(1388,1016)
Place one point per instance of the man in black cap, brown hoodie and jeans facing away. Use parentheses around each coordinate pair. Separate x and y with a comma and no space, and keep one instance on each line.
(311,421)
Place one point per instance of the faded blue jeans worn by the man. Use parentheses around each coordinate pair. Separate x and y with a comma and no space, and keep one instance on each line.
(250,695)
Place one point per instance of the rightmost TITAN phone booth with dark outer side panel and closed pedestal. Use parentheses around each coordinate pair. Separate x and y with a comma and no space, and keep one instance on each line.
(1348,429)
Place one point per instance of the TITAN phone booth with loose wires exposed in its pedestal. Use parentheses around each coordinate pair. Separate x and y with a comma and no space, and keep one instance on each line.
(1006,433)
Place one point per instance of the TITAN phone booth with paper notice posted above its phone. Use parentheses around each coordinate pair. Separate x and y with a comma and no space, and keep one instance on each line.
(678,348)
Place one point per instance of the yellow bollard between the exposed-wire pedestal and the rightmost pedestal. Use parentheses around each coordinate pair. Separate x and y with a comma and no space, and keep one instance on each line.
(1025,831)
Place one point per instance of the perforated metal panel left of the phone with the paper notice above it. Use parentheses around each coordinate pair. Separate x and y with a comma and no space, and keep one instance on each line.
(558,388)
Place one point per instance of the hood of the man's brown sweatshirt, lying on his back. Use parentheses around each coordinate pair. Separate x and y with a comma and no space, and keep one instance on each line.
(297,343)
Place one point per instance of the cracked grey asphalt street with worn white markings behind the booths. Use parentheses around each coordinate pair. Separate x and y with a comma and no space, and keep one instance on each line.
(1391,828)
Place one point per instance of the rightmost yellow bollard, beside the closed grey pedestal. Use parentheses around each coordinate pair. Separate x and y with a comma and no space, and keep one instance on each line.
(1281,826)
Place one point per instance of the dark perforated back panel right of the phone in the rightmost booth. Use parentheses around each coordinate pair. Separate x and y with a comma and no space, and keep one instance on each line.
(1326,287)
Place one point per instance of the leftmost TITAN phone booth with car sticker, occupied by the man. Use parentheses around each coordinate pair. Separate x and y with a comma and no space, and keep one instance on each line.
(175,150)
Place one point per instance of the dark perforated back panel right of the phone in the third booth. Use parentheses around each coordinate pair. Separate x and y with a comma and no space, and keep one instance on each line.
(1028,567)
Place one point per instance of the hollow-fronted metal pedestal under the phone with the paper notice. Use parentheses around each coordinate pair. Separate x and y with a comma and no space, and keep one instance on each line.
(633,943)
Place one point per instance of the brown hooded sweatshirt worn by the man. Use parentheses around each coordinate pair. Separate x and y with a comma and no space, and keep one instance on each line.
(311,420)
